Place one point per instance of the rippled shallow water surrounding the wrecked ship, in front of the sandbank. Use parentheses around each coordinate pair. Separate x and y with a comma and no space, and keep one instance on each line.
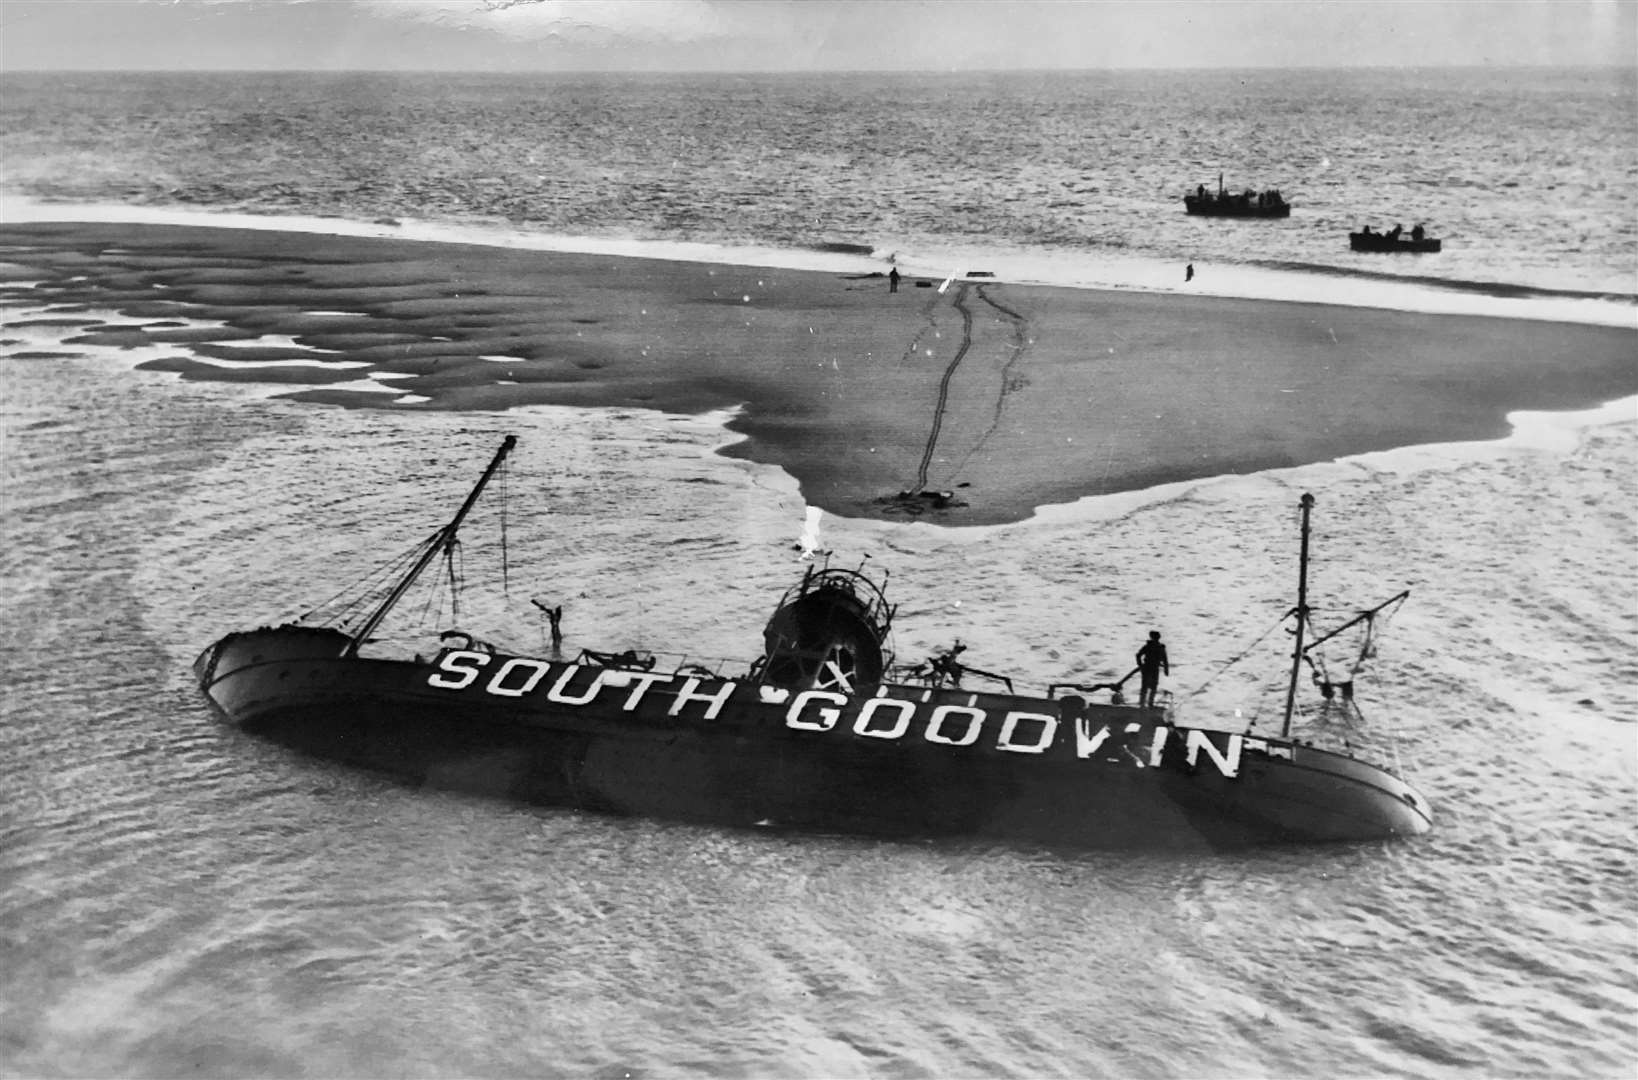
(179,899)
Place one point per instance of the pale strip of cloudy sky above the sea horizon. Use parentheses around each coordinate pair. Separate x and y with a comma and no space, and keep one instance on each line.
(807,35)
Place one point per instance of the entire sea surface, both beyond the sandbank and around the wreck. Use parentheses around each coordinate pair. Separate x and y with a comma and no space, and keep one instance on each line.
(178,899)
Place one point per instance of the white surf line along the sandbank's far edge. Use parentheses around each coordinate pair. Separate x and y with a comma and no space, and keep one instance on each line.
(1066,271)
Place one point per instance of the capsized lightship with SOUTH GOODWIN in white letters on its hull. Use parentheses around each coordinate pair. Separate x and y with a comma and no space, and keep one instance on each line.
(821,733)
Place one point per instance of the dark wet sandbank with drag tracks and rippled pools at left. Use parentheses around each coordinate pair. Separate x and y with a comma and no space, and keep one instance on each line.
(1002,396)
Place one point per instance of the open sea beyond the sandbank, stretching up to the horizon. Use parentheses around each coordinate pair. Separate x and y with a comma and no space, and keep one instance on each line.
(1531,176)
